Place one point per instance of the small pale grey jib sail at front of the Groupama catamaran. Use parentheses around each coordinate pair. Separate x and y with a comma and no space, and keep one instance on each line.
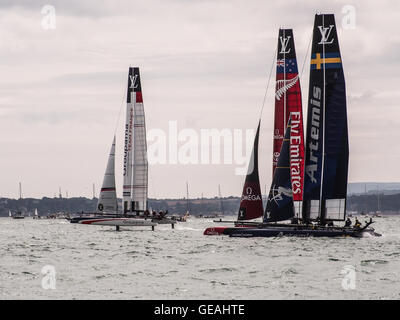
(108,196)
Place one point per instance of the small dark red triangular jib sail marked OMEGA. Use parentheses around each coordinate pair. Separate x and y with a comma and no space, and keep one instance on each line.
(251,206)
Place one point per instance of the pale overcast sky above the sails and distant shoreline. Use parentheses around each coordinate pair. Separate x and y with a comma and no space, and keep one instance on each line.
(203,64)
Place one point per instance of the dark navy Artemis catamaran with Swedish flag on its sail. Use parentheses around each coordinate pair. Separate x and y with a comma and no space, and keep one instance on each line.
(324,192)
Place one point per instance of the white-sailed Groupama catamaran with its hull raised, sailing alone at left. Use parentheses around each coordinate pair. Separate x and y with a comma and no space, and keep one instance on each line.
(135,170)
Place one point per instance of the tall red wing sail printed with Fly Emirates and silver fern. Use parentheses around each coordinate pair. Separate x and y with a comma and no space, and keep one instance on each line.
(288,104)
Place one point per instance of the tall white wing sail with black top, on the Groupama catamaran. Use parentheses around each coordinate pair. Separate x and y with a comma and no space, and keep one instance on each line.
(135,166)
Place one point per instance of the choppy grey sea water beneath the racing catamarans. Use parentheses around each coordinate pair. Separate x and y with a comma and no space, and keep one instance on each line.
(93,262)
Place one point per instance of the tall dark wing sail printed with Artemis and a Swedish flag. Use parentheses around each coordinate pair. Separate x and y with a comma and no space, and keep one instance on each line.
(327,149)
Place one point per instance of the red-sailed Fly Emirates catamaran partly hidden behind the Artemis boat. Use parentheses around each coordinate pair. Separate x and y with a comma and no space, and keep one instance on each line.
(288,107)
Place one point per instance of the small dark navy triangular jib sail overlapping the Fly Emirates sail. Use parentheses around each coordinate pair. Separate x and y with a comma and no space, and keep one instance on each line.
(280,200)
